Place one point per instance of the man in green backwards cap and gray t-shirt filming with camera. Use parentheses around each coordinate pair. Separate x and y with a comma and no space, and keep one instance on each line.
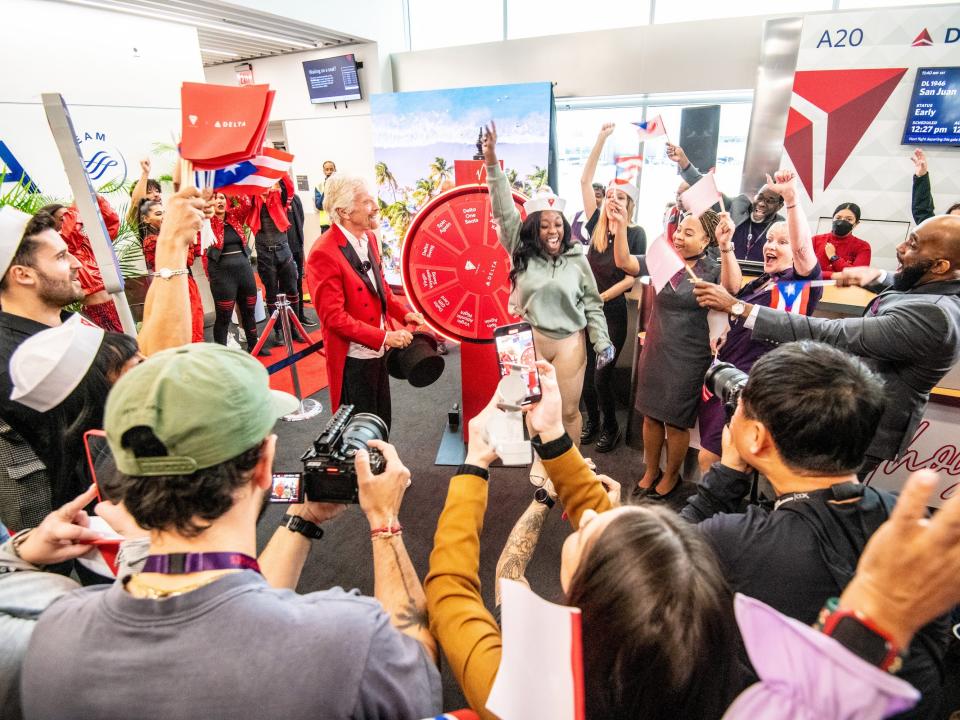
(183,638)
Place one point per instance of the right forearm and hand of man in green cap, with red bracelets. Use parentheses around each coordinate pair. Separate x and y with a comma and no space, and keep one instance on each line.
(395,582)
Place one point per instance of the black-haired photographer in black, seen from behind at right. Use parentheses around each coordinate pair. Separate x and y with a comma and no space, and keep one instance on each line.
(804,420)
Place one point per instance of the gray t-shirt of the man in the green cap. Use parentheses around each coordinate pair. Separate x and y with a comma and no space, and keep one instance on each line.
(235,648)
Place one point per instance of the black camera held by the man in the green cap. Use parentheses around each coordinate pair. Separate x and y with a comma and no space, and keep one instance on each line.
(328,471)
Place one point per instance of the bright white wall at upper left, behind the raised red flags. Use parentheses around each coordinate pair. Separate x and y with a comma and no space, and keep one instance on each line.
(119,74)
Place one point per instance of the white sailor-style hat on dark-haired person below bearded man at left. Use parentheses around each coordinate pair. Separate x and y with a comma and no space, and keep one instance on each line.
(48,366)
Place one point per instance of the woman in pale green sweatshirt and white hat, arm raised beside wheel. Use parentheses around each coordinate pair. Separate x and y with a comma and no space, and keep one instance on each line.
(553,286)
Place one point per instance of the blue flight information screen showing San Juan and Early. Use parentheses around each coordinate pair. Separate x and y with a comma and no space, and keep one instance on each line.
(934,114)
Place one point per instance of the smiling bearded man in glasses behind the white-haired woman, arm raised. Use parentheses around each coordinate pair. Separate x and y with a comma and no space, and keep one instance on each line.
(753,217)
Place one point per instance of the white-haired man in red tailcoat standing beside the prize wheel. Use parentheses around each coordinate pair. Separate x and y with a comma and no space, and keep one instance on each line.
(353,301)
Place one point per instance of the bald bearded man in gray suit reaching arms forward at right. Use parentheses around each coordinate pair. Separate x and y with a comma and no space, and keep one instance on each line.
(910,331)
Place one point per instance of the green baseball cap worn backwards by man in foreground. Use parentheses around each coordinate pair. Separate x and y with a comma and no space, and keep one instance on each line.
(205,402)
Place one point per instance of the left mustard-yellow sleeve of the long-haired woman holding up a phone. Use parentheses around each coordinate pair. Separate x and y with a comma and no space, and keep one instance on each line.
(465,629)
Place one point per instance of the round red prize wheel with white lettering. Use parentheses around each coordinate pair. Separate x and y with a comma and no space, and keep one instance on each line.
(455,271)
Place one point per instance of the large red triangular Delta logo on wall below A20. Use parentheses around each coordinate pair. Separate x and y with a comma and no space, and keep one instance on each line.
(851,99)
